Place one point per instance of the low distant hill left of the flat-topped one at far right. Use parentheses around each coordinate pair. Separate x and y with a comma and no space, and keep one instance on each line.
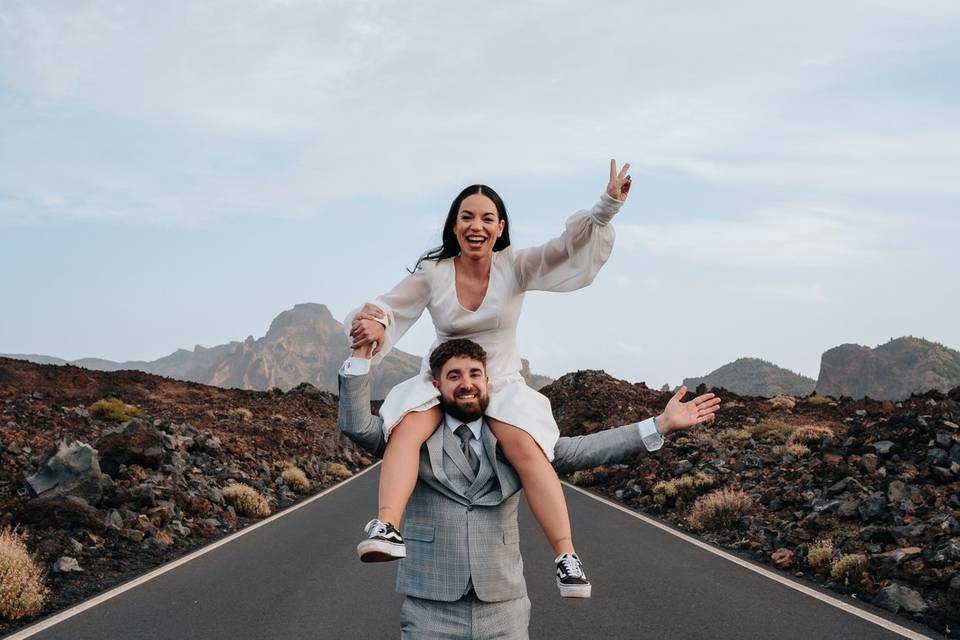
(755,377)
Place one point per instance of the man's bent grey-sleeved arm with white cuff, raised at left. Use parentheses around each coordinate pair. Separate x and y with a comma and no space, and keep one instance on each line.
(353,411)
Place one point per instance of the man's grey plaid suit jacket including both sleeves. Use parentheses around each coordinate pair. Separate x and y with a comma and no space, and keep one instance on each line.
(458,527)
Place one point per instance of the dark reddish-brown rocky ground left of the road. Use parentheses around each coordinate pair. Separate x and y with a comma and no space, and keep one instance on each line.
(139,495)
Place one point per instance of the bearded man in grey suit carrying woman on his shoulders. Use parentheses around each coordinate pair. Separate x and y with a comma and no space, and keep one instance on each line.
(463,574)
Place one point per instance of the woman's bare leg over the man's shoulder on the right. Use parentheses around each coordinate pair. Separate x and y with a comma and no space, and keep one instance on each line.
(540,481)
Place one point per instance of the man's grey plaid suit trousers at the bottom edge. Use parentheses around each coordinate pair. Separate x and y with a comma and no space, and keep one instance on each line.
(465,619)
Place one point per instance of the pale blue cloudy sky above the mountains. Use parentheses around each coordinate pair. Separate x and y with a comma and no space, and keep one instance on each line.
(178,173)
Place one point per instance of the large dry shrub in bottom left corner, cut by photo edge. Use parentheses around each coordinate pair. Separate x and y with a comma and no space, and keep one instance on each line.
(21,590)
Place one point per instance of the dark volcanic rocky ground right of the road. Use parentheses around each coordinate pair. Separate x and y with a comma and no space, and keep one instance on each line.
(821,479)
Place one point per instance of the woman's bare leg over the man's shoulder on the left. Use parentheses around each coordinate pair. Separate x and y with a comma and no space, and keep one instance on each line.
(401,462)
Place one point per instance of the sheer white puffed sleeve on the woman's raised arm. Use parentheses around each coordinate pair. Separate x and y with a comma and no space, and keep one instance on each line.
(573,260)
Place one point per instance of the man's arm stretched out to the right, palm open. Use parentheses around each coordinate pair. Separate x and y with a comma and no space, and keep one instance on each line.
(614,445)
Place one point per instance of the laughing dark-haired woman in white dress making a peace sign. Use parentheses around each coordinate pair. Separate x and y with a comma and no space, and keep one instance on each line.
(473,286)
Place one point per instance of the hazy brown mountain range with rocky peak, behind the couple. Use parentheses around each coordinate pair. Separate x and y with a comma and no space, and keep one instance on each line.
(303,344)
